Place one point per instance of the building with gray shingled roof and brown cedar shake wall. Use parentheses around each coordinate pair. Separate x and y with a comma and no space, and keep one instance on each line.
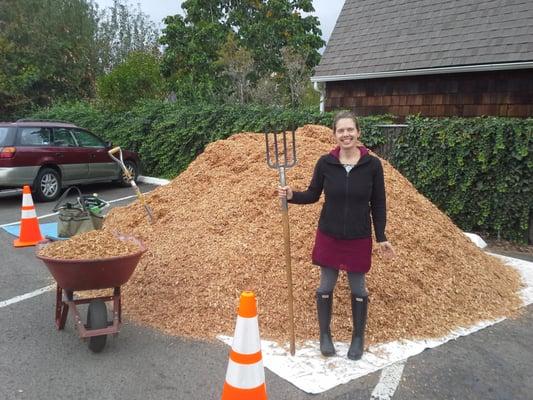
(458,57)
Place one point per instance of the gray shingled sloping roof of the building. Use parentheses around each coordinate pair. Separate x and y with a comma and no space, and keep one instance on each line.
(376,36)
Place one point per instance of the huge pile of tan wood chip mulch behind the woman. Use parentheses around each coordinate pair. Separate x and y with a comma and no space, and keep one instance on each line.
(218,232)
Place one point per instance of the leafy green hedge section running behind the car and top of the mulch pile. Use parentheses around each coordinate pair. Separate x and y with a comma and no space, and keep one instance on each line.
(168,136)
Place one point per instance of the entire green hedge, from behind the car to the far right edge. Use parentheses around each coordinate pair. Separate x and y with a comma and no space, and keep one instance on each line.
(478,170)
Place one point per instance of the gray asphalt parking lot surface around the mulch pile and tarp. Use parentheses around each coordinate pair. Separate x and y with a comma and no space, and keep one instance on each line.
(39,362)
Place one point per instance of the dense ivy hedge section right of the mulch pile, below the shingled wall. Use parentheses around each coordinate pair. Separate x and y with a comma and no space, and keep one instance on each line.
(479,170)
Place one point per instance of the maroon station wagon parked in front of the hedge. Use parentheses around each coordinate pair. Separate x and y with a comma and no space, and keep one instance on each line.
(50,155)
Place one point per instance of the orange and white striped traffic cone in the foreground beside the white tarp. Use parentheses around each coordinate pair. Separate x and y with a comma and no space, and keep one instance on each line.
(245,377)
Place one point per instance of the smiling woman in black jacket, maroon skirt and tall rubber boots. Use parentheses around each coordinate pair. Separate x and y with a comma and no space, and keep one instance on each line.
(353,184)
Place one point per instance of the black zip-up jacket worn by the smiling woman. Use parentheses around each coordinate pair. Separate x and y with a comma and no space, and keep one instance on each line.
(350,198)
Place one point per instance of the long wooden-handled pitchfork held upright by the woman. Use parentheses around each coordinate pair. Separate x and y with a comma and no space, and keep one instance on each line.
(281,162)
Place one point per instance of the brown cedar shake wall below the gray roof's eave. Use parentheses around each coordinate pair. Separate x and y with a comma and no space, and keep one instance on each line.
(498,93)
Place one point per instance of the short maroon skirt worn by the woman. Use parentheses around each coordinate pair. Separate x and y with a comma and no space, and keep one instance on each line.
(352,255)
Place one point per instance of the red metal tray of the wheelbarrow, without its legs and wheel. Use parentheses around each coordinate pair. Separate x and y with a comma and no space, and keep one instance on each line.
(102,273)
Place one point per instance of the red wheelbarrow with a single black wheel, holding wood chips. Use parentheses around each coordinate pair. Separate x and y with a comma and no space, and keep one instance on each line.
(79,275)
